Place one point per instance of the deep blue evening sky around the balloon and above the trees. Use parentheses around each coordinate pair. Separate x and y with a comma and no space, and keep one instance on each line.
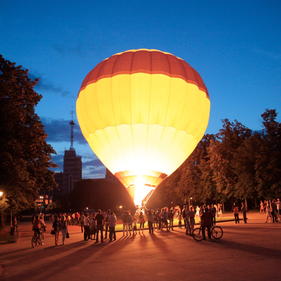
(234,45)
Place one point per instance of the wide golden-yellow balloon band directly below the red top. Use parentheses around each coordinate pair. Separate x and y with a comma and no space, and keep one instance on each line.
(145,99)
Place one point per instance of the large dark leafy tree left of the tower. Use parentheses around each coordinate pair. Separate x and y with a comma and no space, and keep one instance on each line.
(25,155)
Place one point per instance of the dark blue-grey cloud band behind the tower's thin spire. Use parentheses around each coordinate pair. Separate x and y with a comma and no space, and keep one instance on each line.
(58,130)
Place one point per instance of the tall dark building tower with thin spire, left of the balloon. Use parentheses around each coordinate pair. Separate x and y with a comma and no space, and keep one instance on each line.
(72,164)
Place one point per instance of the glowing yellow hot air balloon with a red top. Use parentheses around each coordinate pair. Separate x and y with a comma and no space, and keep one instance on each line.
(143,112)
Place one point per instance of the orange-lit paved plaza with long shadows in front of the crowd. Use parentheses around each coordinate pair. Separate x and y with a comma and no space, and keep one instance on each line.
(247,252)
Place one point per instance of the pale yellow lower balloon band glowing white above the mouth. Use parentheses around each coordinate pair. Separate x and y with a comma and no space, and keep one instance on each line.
(140,148)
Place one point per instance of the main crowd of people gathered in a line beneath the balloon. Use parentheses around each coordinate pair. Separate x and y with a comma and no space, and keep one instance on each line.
(100,225)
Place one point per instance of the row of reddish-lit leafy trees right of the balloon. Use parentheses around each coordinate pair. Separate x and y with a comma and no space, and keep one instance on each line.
(235,163)
